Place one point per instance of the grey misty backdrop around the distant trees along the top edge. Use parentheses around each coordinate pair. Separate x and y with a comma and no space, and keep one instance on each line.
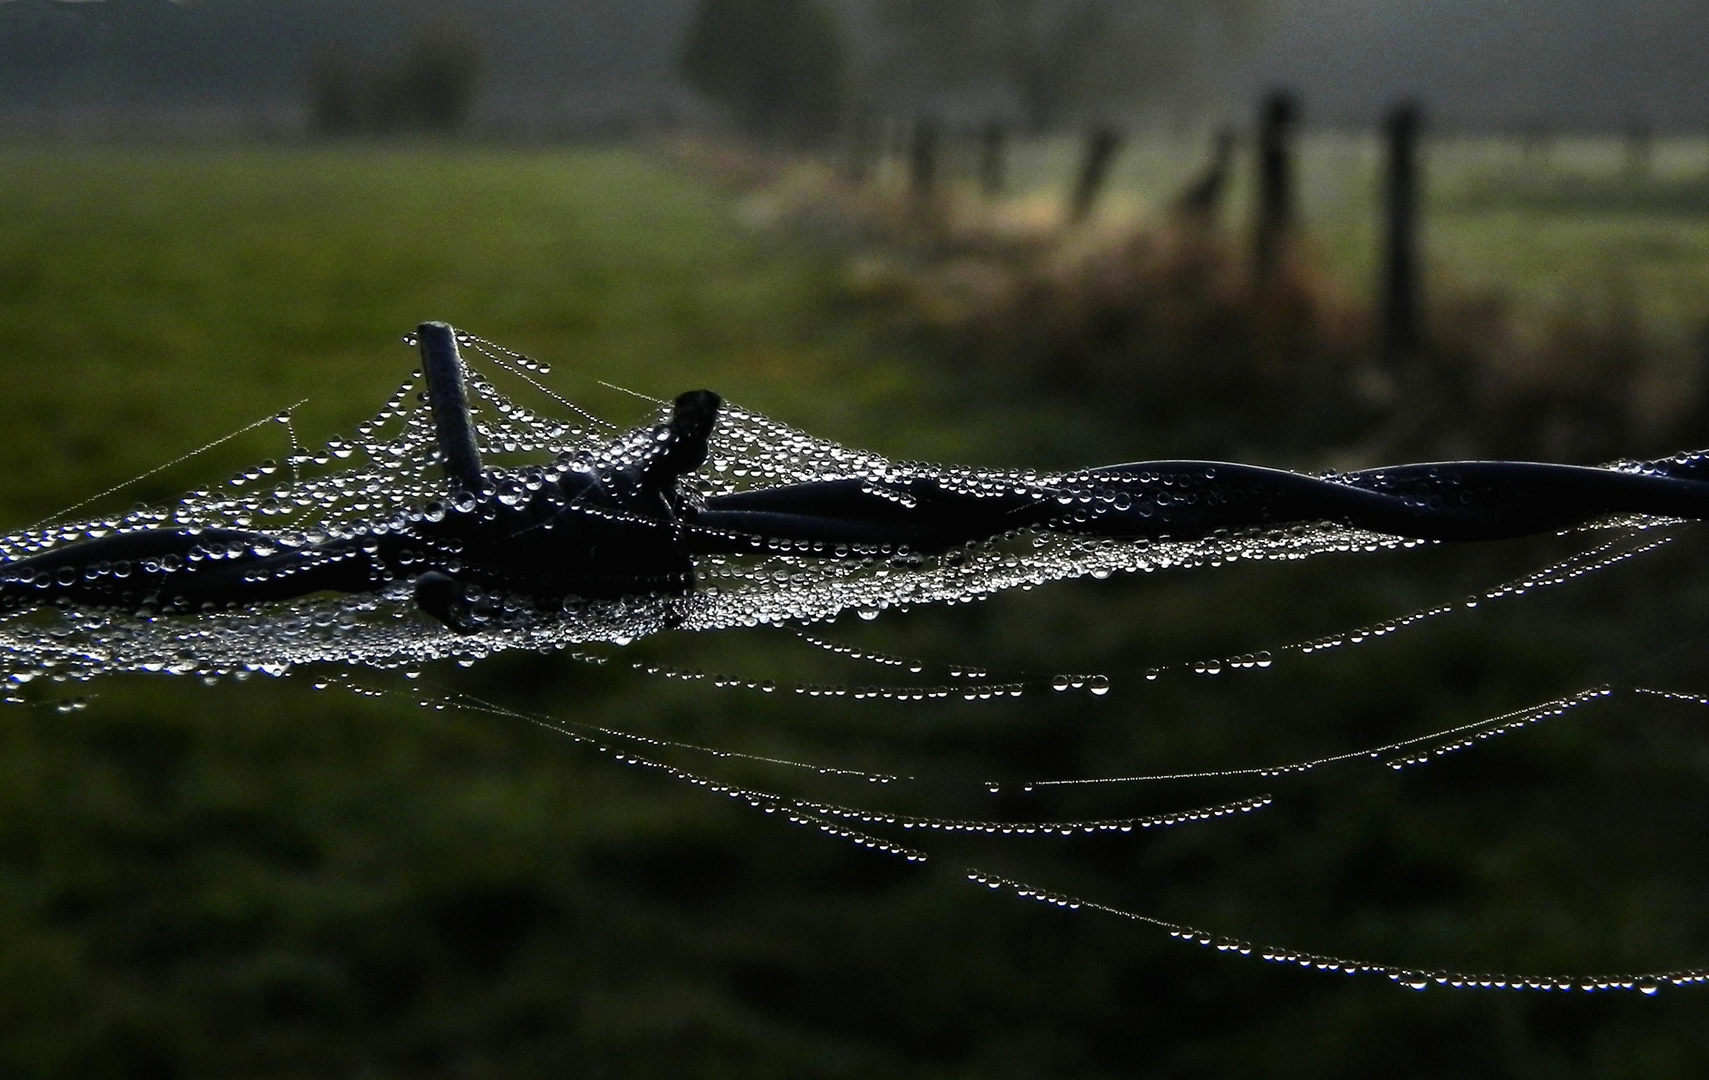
(1583,66)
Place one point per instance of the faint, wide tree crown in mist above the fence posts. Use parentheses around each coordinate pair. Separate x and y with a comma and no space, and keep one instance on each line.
(1057,59)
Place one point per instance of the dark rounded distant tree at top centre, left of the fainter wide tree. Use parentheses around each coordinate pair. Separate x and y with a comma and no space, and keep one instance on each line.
(780,67)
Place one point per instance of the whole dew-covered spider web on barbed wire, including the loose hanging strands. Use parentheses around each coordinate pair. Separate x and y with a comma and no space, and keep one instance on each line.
(389,472)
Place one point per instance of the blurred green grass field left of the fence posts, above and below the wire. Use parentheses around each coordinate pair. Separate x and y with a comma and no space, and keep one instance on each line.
(278,883)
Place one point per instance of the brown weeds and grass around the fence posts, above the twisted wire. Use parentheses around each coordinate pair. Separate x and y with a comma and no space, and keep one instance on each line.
(1565,312)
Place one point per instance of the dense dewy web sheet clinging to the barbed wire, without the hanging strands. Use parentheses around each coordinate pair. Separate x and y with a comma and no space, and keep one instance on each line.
(385,476)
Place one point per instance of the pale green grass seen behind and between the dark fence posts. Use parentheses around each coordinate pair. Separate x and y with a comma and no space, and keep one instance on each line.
(1544,226)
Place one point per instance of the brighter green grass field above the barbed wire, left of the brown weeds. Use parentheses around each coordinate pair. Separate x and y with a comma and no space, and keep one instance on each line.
(185,293)
